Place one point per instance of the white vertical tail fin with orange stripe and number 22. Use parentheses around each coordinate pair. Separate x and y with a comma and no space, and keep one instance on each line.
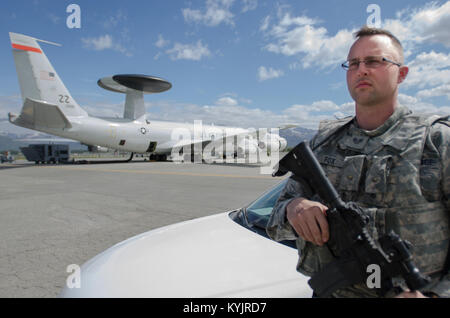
(37,77)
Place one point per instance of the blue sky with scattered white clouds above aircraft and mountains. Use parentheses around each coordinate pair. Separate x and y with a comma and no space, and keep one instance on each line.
(249,63)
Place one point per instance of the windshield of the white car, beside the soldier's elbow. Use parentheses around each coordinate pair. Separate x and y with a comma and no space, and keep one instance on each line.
(258,212)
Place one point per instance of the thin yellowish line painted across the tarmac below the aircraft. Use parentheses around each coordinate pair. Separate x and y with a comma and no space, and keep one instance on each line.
(192,174)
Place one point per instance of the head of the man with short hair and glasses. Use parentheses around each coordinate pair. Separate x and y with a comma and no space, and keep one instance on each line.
(375,67)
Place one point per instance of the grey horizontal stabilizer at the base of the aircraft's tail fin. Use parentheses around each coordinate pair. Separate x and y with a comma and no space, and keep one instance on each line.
(37,113)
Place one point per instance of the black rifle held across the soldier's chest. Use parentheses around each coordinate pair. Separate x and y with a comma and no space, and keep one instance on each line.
(350,241)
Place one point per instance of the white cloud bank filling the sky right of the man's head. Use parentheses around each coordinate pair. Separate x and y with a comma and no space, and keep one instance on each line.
(429,72)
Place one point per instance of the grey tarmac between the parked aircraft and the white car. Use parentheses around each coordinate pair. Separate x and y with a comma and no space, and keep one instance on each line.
(52,216)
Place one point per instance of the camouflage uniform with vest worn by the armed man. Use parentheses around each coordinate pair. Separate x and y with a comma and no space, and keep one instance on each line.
(400,172)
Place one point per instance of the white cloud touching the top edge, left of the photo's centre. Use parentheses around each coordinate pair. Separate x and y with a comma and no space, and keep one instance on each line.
(215,13)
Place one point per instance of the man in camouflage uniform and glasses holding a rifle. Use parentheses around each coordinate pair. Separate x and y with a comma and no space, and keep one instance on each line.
(394,163)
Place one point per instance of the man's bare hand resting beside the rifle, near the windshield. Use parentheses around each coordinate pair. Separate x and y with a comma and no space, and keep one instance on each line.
(308,218)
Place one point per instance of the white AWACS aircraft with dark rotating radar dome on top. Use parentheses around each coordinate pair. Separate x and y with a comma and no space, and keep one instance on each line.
(49,107)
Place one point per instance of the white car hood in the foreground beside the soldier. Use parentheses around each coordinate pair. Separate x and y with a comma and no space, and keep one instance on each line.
(207,257)
